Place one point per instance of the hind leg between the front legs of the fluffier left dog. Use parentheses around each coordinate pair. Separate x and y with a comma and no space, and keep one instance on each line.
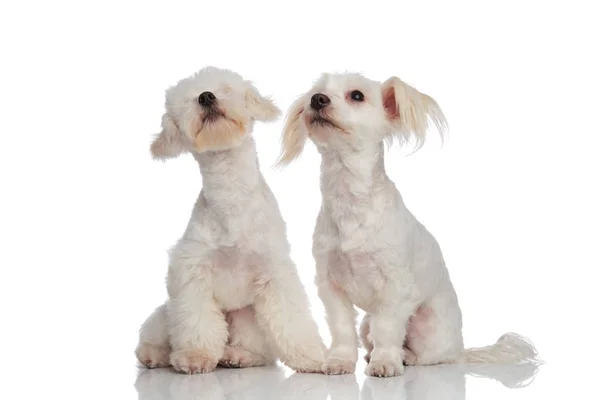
(248,345)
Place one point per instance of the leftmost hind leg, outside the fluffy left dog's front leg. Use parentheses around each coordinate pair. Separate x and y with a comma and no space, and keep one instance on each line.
(153,349)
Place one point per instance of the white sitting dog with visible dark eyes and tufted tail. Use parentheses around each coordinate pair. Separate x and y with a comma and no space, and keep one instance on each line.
(370,251)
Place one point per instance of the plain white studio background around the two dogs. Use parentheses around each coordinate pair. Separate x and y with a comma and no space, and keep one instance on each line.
(86,216)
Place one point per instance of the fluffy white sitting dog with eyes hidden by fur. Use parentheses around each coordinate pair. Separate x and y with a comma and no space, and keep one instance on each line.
(234,293)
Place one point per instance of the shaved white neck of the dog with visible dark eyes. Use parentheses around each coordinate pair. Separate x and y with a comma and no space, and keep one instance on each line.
(350,178)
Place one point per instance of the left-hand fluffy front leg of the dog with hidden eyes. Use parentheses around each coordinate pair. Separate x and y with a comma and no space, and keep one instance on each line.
(197,327)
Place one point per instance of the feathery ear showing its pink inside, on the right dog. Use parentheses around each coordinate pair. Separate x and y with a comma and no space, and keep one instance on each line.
(409,111)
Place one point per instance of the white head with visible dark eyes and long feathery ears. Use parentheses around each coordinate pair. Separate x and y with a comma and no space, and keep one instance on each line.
(348,112)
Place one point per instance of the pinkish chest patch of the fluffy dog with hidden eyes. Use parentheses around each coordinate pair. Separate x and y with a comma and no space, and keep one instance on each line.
(234,279)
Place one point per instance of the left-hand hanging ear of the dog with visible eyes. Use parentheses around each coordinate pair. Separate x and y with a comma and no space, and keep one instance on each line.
(294,134)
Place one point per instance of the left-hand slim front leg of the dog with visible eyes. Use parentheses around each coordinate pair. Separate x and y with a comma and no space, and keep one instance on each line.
(341,319)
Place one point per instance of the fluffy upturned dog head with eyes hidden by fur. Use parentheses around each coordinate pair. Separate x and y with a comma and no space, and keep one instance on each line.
(210,111)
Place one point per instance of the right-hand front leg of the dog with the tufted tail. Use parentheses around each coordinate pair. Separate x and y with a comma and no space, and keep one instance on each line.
(388,325)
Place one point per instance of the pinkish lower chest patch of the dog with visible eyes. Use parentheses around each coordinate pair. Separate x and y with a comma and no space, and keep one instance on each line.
(358,275)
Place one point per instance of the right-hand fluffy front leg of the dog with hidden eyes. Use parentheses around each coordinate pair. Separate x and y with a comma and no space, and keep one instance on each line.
(282,307)
